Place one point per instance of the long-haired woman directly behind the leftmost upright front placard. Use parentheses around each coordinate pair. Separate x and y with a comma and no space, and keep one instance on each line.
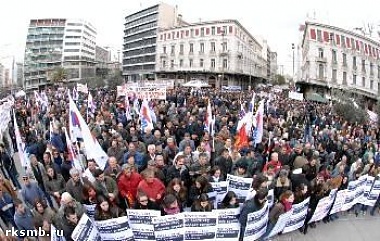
(106,210)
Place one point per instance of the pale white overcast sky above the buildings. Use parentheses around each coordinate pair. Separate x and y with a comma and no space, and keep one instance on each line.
(275,20)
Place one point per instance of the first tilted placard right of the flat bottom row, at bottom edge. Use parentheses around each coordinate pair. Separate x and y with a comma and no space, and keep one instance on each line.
(256,224)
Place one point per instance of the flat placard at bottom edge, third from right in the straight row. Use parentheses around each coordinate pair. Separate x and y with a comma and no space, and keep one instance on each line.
(169,228)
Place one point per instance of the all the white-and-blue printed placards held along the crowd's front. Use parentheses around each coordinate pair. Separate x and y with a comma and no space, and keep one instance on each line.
(221,224)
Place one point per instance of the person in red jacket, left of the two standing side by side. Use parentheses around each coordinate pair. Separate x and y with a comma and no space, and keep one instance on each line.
(127,183)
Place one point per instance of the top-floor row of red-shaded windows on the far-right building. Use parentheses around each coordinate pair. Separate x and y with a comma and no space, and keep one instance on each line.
(345,42)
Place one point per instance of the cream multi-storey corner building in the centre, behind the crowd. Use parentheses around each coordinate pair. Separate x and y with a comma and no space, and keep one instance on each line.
(219,52)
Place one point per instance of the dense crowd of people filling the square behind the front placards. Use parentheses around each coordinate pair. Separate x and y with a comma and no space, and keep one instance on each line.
(306,151)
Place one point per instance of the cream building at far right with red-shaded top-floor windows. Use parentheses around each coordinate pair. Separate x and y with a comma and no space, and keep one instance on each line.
(336,58)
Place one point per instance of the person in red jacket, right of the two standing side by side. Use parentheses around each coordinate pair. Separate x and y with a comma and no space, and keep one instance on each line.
(151,186)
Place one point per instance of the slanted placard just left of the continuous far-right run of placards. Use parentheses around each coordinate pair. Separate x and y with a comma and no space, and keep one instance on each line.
(297,219)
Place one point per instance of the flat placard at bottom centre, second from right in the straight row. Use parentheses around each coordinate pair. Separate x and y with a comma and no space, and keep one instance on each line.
(200,225)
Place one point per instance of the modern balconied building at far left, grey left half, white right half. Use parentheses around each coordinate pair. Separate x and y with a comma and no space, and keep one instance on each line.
(55,43)
